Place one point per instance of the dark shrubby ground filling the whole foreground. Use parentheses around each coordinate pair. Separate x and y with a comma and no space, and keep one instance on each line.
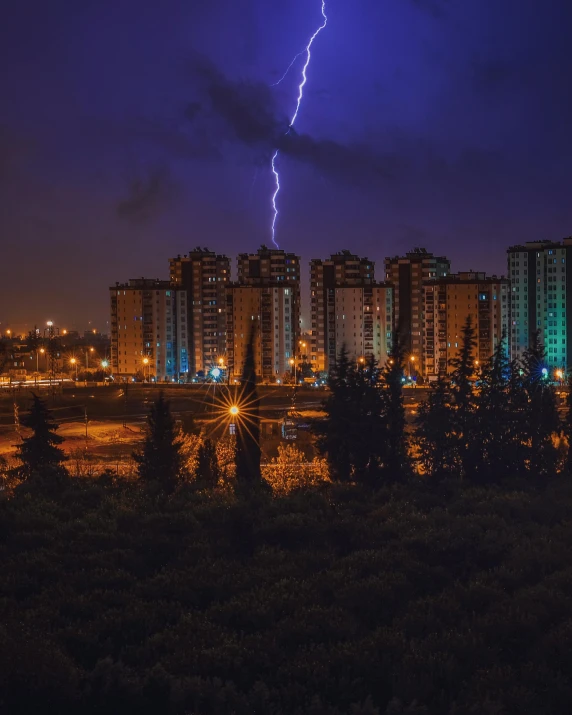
(411,600)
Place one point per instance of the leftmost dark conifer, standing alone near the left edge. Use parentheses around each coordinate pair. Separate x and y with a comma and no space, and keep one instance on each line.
(40,454)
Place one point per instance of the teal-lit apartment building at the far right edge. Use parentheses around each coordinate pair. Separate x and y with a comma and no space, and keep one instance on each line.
(541,298)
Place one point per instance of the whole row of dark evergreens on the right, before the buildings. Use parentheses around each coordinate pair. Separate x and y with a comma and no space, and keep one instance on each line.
(482,424)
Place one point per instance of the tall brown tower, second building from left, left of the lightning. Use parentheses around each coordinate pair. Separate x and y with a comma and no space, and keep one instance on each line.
(203,275)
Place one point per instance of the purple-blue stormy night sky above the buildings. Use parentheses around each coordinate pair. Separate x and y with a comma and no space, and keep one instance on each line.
(133,131)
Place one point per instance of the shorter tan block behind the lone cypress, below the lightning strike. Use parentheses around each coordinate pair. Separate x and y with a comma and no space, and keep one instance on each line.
(269,311)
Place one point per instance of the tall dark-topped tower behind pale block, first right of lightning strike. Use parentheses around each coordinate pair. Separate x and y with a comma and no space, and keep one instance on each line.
(328,280)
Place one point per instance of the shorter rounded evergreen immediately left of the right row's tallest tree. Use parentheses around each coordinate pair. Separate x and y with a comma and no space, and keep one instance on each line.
(435,433)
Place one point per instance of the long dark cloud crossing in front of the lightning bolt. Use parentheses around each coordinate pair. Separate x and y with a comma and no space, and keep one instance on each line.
(247,114)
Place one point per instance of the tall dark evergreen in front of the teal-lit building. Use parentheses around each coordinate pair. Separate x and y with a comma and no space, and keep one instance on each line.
(540,414)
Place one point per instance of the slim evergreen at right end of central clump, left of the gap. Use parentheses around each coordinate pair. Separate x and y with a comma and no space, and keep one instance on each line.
(396,451)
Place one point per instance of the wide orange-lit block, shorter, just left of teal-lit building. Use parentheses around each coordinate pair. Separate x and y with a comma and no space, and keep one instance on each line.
(448,302)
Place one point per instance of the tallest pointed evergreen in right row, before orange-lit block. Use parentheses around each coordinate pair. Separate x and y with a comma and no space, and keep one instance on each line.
(463,393)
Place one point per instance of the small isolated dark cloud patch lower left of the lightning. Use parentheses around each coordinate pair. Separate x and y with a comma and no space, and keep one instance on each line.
(148,196)
